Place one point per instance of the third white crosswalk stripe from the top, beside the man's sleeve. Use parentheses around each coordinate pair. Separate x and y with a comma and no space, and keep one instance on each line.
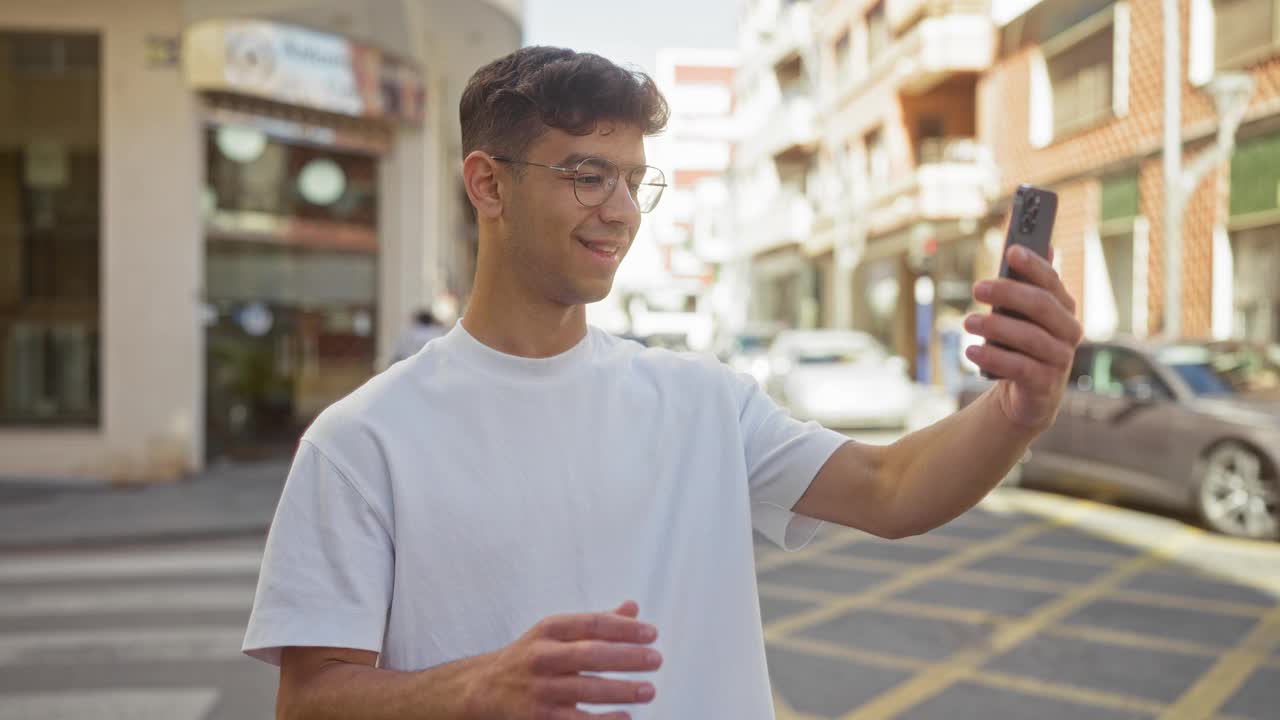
(122,645)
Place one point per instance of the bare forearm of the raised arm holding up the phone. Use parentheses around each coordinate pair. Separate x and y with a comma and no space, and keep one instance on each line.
(943,471)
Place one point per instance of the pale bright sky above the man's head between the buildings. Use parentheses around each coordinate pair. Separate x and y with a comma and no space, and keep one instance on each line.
(632,33)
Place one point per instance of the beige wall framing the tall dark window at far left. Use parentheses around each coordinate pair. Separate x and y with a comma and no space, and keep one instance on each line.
(152,257)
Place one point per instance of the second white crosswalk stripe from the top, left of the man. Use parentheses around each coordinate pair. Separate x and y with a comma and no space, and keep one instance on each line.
(80,601)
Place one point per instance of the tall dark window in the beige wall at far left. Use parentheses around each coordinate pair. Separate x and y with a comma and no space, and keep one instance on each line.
(51,183)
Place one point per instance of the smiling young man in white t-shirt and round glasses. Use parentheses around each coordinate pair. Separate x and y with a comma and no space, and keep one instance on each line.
(531,520)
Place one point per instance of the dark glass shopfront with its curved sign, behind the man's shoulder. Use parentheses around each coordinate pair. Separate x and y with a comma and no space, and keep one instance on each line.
(296,126)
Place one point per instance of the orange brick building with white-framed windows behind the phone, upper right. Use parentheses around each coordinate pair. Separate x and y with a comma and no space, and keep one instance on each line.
(1060,52)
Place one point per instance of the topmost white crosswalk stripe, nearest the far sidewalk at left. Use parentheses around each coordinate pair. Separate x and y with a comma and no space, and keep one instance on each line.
(94,568)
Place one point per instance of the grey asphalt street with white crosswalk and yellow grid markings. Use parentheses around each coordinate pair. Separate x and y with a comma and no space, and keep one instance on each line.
(1031,607)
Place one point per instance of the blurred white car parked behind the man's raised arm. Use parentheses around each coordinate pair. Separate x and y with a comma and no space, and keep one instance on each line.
(844,380)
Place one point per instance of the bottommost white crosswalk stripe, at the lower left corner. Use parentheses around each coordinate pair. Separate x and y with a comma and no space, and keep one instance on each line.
(162,704)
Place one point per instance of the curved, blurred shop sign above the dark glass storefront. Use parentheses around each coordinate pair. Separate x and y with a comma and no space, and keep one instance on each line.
(301,67)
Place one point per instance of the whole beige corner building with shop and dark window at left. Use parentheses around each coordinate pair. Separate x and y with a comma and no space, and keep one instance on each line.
(211,230)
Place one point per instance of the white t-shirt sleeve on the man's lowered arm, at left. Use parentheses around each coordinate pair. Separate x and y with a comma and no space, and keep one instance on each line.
(328,567)
